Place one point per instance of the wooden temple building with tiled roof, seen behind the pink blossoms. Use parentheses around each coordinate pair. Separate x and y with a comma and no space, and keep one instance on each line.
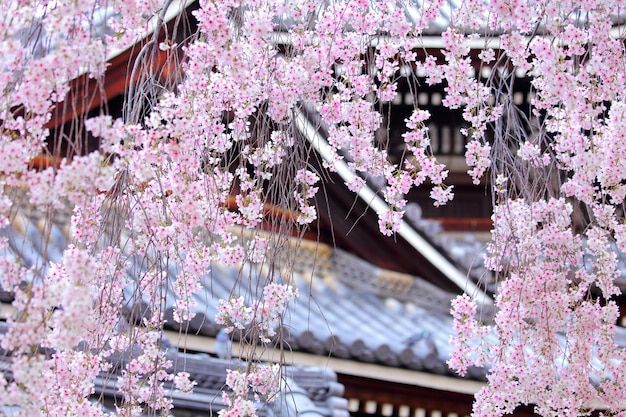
(374,310)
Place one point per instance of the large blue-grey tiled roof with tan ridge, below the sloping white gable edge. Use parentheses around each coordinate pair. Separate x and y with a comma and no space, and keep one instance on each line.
(347,308)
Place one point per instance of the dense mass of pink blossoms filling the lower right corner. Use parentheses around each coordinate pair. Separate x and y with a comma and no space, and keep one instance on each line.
(548,332)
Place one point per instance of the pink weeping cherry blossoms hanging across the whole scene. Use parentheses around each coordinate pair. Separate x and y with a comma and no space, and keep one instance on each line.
(220,127)
